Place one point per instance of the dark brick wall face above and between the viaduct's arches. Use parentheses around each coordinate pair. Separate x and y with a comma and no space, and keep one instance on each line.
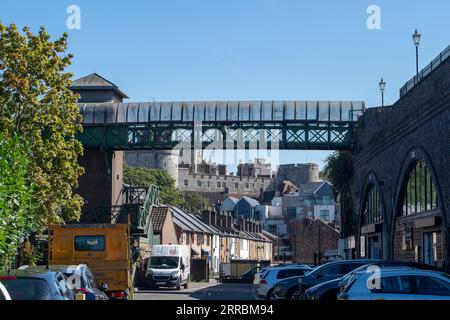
(387,139)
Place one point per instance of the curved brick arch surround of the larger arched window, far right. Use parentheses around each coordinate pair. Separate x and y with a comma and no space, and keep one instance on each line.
(417,153)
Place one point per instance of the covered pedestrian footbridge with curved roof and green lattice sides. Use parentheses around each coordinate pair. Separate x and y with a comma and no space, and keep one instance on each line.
(321,125)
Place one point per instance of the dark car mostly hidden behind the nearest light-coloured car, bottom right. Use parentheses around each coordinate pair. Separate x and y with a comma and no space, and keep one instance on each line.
(328,290)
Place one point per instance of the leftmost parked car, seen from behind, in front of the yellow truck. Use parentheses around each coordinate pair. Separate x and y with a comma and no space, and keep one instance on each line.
(37,283)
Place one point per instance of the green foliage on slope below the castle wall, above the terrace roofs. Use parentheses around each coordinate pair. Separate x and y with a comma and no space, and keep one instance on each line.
(168,193)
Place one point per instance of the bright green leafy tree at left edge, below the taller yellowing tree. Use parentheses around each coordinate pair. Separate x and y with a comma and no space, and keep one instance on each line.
(17,214)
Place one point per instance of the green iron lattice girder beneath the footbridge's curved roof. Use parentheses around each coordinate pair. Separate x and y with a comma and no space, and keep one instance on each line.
(244,135)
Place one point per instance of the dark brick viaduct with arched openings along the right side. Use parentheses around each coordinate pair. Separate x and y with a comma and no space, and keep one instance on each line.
(390,141)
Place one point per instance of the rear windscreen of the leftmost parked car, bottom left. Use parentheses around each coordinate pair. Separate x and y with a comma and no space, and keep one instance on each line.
(27,289)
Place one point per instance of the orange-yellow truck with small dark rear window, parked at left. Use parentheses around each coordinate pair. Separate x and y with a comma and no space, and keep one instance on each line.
(104,248)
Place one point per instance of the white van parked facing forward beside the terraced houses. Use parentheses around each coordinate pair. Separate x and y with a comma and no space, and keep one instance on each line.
(169,266)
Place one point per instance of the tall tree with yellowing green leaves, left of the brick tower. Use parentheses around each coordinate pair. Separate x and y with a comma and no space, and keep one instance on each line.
(36,103)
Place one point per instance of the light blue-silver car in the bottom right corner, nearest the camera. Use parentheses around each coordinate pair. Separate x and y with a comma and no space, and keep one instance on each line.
(399,284)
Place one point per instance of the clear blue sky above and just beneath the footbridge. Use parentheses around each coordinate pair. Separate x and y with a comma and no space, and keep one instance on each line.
(252,49)
